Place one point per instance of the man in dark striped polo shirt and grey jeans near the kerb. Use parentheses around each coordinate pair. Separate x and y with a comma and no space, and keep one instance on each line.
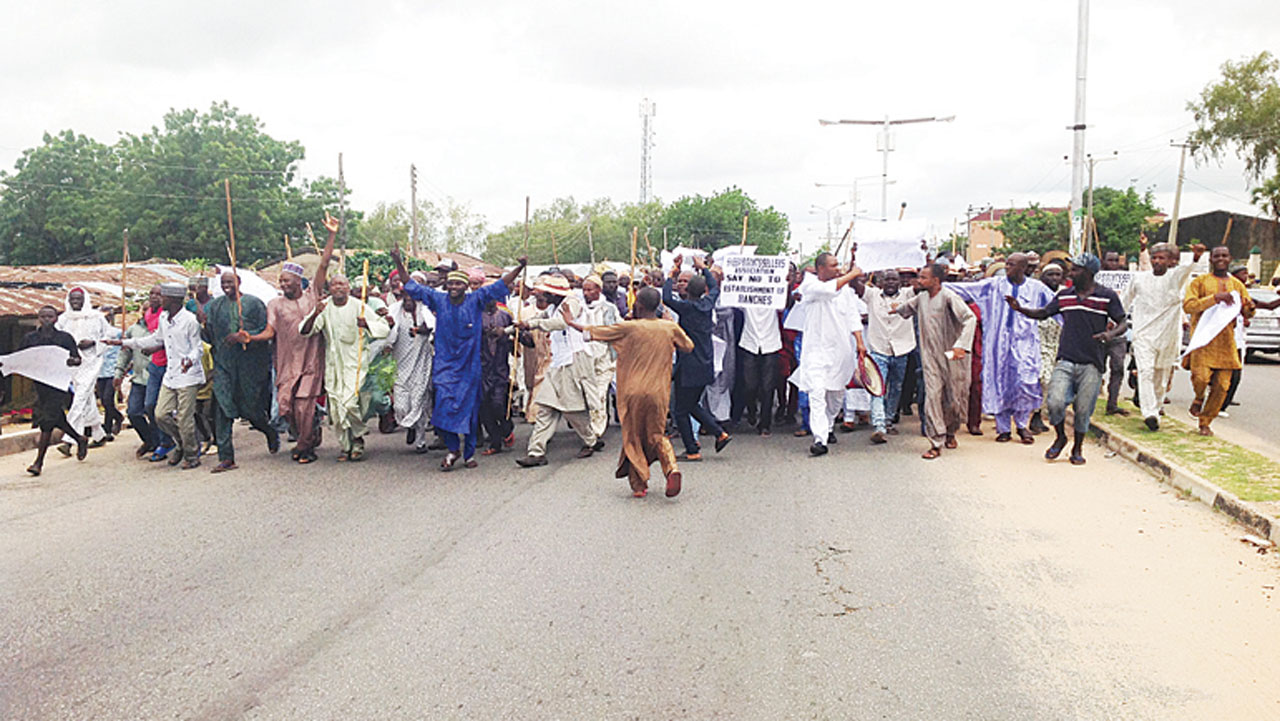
(1087,309)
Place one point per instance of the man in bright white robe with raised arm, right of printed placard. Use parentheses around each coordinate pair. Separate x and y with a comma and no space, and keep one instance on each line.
(833,345)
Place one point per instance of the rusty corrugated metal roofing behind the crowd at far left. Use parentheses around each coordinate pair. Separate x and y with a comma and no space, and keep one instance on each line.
(25,289)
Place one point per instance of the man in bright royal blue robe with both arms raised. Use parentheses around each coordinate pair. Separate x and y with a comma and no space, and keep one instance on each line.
(459,330)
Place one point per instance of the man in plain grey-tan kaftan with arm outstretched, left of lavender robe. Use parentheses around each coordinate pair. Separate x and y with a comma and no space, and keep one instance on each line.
(947,335)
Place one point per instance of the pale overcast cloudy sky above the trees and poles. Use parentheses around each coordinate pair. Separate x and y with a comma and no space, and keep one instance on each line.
(496,101)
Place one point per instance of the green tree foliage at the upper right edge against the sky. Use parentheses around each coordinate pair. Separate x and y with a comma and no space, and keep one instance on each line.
(1242,112)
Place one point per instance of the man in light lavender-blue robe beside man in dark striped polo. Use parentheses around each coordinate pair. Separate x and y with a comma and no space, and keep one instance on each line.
(1011,346)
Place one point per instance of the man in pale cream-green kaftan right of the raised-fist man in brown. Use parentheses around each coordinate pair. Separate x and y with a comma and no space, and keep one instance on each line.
(346,322)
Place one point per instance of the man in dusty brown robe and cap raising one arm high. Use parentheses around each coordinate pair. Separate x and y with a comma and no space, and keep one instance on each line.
(299,359)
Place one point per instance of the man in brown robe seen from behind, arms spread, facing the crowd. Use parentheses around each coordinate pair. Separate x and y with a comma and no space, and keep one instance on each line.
(646,349)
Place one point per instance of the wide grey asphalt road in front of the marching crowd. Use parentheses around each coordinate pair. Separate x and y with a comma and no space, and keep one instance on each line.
(866,585)
